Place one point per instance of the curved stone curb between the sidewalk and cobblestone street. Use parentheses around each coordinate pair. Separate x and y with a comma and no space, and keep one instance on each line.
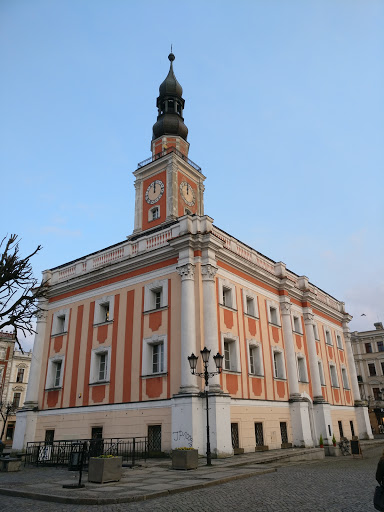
(127,499)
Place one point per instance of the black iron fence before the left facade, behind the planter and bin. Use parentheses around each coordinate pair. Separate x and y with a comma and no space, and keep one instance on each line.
(60,453)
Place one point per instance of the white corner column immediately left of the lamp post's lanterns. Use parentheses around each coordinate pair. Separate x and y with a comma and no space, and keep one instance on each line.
(188,326)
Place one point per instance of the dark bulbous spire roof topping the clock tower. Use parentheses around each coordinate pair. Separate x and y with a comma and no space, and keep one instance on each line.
(170,106)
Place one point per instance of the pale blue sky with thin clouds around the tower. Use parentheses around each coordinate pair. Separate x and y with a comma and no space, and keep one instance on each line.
(285,110)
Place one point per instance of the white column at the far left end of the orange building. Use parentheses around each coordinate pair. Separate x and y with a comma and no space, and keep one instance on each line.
(35,373)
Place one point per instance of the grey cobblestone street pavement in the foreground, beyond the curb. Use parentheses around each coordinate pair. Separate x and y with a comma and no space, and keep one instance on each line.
(333,485)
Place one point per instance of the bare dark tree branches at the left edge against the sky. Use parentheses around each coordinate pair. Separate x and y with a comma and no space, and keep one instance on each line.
(19,290)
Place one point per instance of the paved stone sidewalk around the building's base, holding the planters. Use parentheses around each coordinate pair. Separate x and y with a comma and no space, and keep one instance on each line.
(152,479)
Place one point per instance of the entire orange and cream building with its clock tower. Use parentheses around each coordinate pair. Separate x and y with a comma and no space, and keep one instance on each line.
(111,351)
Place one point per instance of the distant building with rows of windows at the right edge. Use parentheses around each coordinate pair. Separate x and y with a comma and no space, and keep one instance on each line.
(368,351)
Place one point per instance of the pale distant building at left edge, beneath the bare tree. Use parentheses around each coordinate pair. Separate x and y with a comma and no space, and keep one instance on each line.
(14,371)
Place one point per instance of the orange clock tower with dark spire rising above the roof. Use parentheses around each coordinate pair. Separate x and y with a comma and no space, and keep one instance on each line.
(168,184)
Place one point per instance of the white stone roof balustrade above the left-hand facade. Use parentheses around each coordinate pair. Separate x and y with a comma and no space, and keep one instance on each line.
(125,250)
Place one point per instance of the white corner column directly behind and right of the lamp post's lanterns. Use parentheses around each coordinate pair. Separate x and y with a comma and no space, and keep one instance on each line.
(208,273)
